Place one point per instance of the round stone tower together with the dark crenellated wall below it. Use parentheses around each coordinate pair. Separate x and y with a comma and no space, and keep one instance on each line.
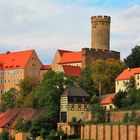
(100,41)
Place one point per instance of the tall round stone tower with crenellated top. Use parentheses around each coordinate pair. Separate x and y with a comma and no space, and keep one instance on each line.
(100,32)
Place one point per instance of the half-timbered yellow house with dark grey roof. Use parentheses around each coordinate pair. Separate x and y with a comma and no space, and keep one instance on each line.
(74,103)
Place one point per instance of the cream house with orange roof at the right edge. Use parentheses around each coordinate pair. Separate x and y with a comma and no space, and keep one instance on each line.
(124,78)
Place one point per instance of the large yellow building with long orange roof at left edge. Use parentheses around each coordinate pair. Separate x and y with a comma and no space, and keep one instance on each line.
(15,66)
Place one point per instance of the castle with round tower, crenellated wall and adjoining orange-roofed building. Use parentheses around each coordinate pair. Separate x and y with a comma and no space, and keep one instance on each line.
(100,48)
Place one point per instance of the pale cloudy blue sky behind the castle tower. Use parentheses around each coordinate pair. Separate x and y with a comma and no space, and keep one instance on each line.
(48,25)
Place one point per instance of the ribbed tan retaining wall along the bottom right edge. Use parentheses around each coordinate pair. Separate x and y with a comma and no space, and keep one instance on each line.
(110,132)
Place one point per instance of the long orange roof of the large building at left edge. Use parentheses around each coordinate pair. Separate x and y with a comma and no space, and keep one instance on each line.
(14,60)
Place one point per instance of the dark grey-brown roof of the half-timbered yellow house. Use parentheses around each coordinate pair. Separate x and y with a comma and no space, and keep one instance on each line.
(75,91)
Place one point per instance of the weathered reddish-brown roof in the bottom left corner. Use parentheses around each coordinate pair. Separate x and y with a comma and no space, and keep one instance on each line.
(11,116)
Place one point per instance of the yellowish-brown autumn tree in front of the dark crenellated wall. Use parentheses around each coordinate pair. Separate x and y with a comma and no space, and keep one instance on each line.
(104,74)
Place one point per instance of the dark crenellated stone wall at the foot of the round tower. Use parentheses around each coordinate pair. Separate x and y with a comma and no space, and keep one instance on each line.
(89,55)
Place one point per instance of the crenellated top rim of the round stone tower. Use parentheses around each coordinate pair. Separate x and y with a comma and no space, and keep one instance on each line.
(101,19)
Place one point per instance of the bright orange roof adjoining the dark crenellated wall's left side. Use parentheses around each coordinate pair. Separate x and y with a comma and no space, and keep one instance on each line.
(71,57)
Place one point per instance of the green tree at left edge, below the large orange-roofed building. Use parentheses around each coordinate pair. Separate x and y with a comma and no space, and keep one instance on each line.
(8,99)
